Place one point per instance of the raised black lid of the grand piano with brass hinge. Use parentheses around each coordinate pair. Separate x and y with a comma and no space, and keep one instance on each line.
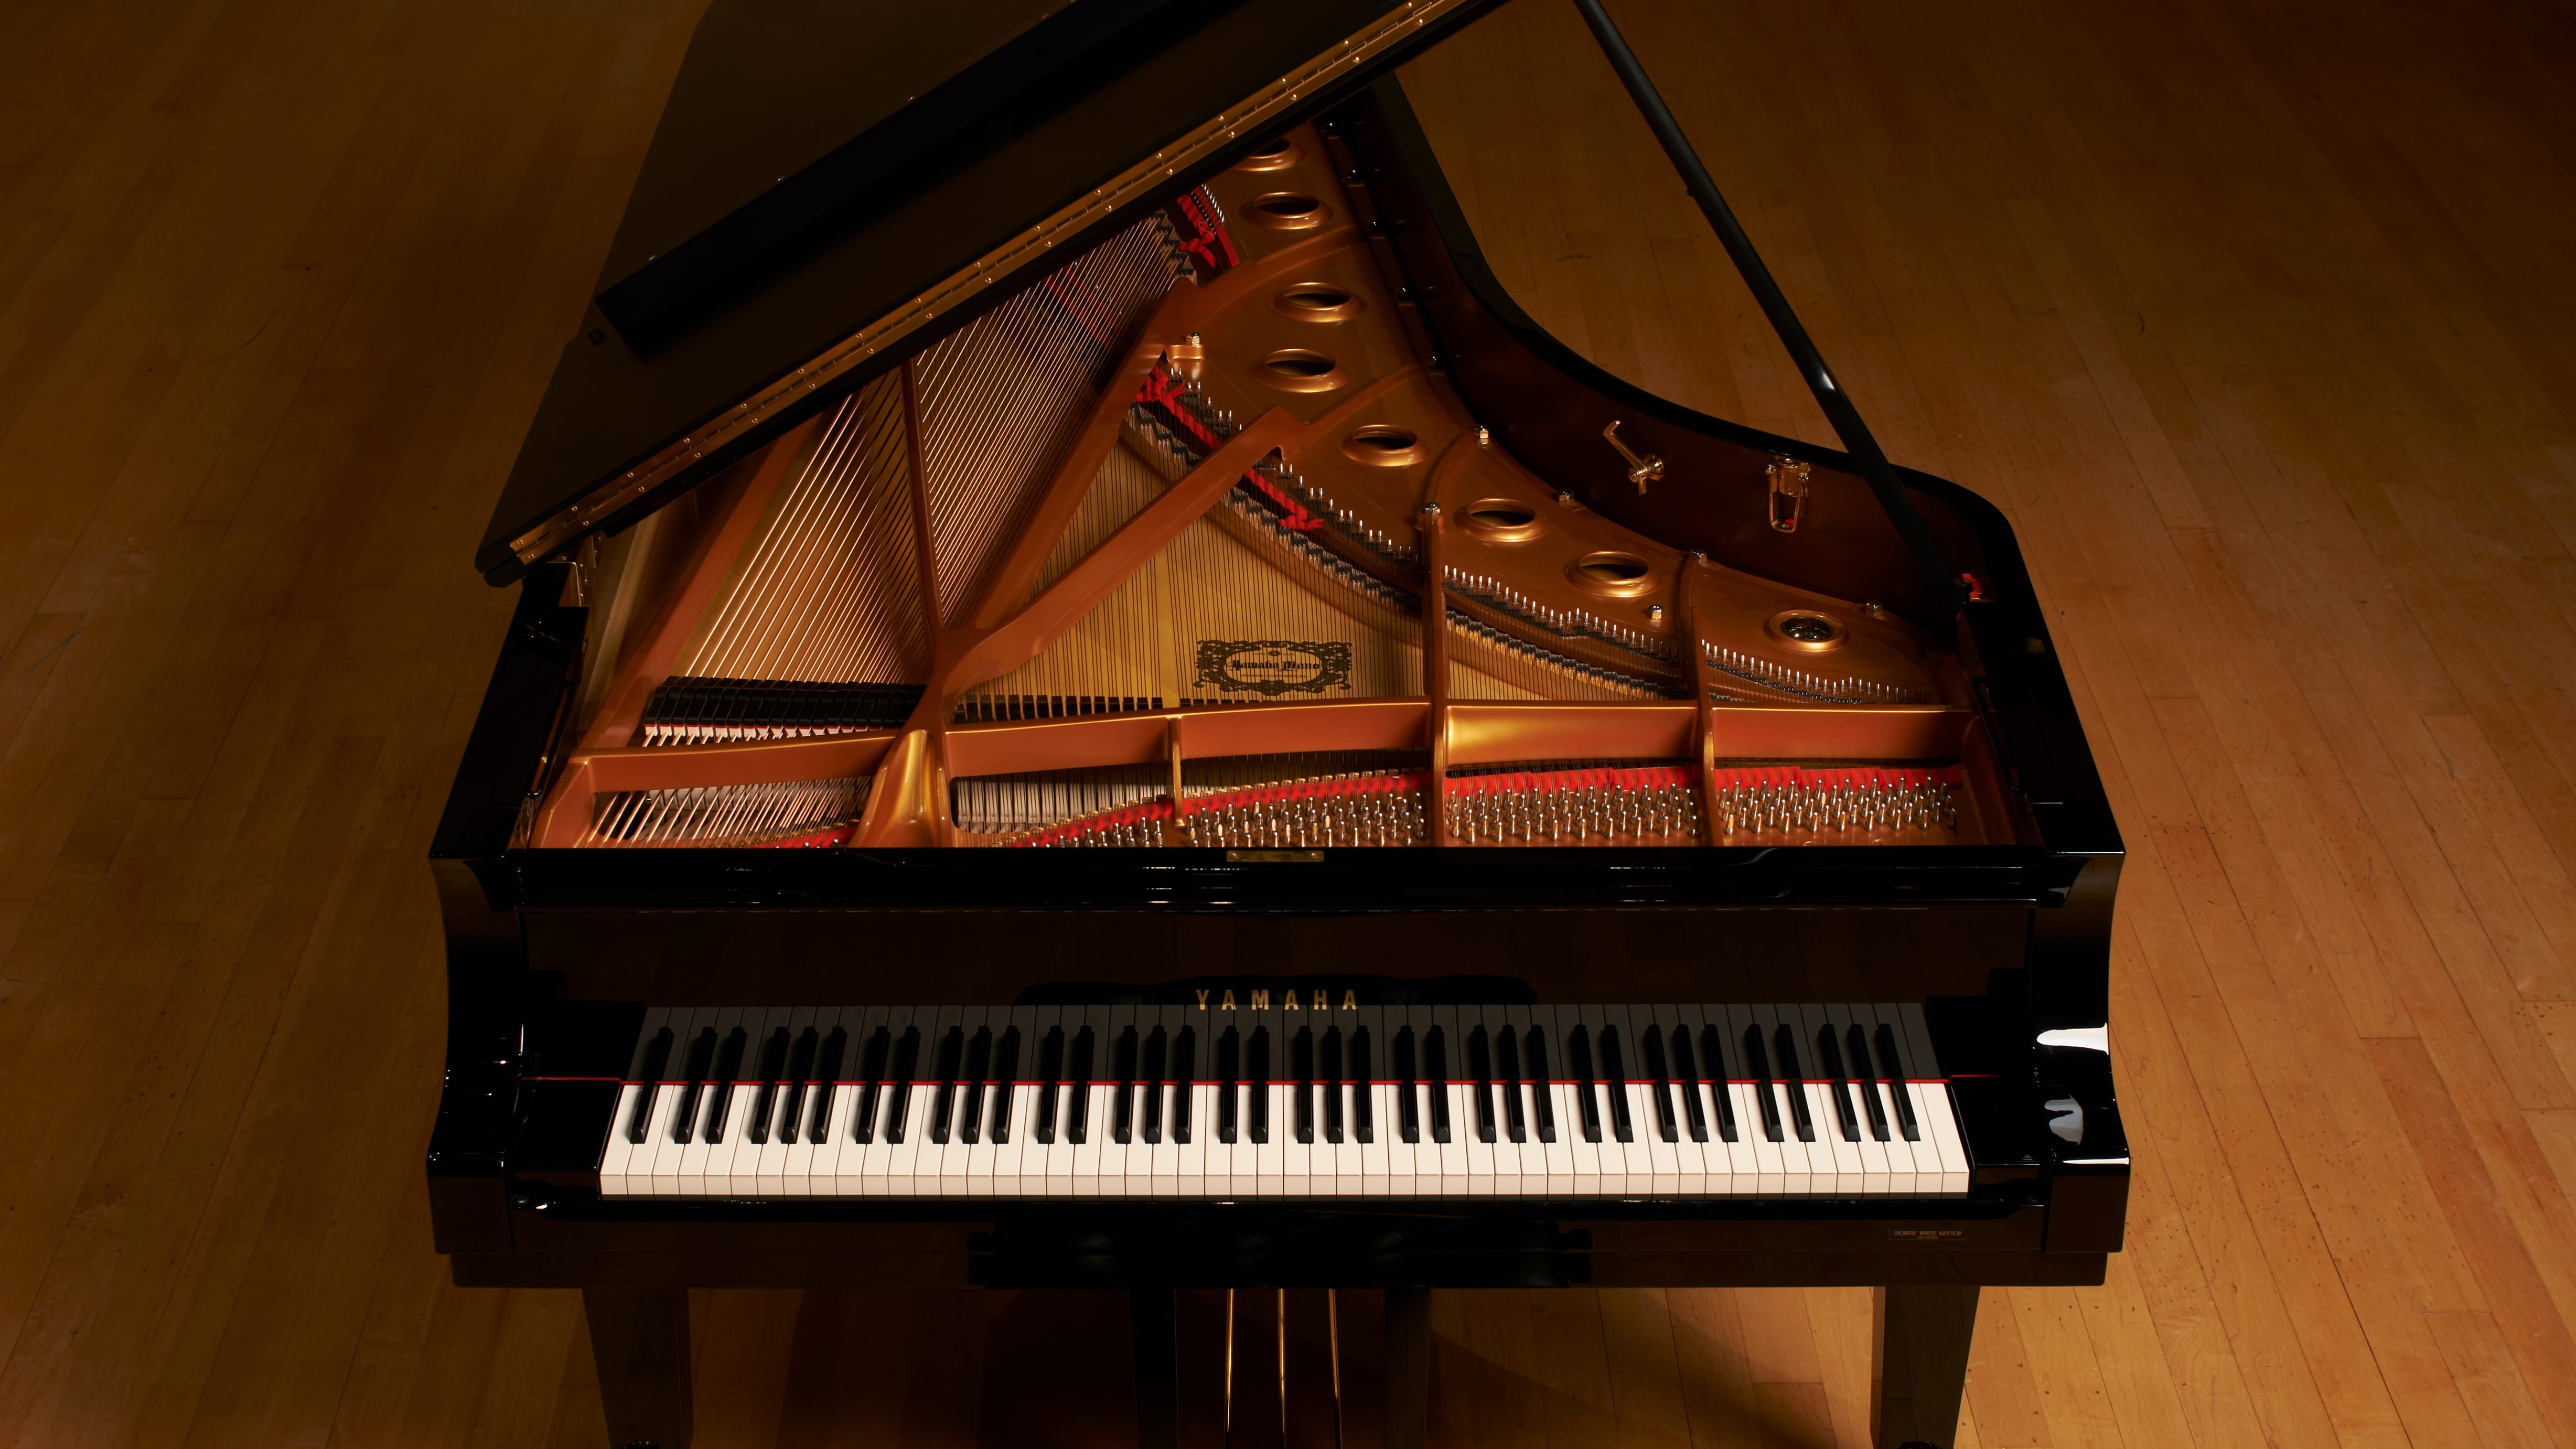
(833,179)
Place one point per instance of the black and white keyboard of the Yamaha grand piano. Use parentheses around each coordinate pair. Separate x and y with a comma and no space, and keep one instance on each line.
(1284,1100)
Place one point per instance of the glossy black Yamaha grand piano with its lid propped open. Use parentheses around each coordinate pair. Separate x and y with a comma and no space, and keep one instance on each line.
(1096,705)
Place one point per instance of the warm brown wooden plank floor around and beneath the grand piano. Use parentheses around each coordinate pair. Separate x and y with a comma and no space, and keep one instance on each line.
(2255,318)
